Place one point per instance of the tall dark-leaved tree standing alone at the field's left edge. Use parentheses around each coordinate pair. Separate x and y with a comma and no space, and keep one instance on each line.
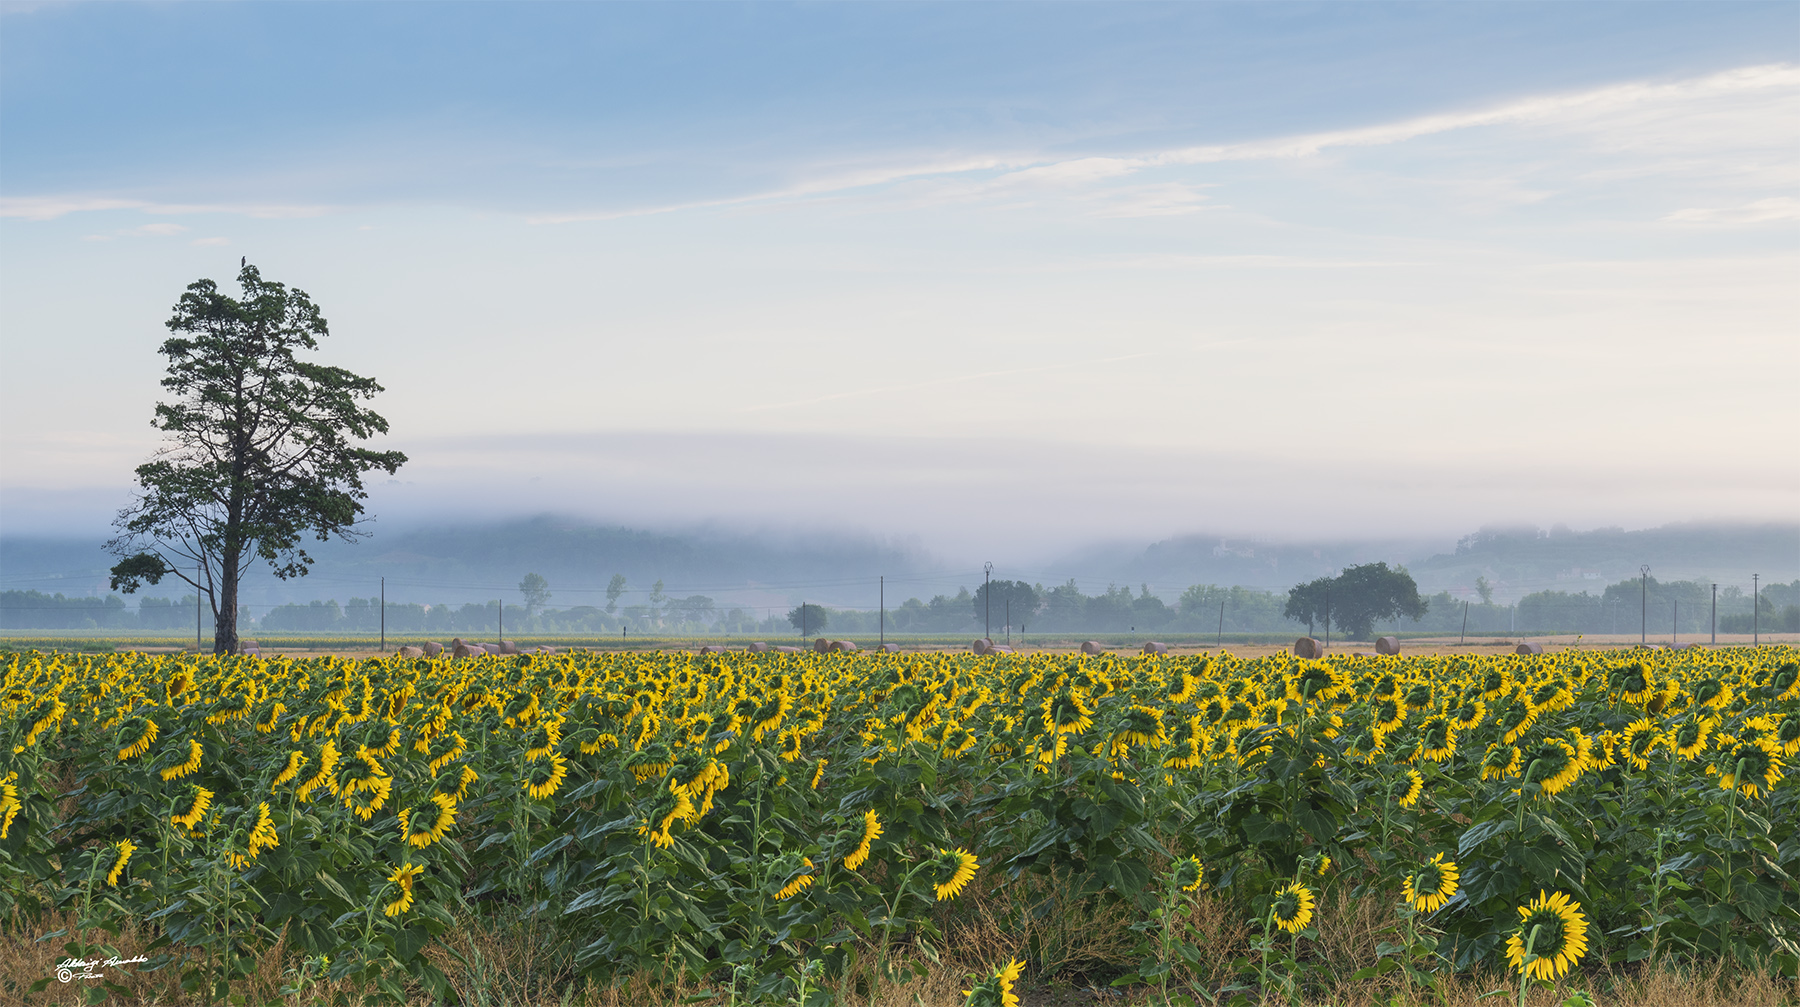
(262,449)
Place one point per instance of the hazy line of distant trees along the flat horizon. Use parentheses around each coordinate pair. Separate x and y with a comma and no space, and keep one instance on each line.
(1034,608)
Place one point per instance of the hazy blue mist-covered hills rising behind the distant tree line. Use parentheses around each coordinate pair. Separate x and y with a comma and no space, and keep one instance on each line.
(769,572)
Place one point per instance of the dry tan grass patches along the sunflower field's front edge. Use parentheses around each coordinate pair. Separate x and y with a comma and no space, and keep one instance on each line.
(1079,943)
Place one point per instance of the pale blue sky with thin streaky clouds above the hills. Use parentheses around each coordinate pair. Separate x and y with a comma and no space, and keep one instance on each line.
(1178,268)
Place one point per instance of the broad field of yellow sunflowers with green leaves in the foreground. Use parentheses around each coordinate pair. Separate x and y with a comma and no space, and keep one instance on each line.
(769,824)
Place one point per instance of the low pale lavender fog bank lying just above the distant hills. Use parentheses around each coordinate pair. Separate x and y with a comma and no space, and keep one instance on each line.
(1023,505)
